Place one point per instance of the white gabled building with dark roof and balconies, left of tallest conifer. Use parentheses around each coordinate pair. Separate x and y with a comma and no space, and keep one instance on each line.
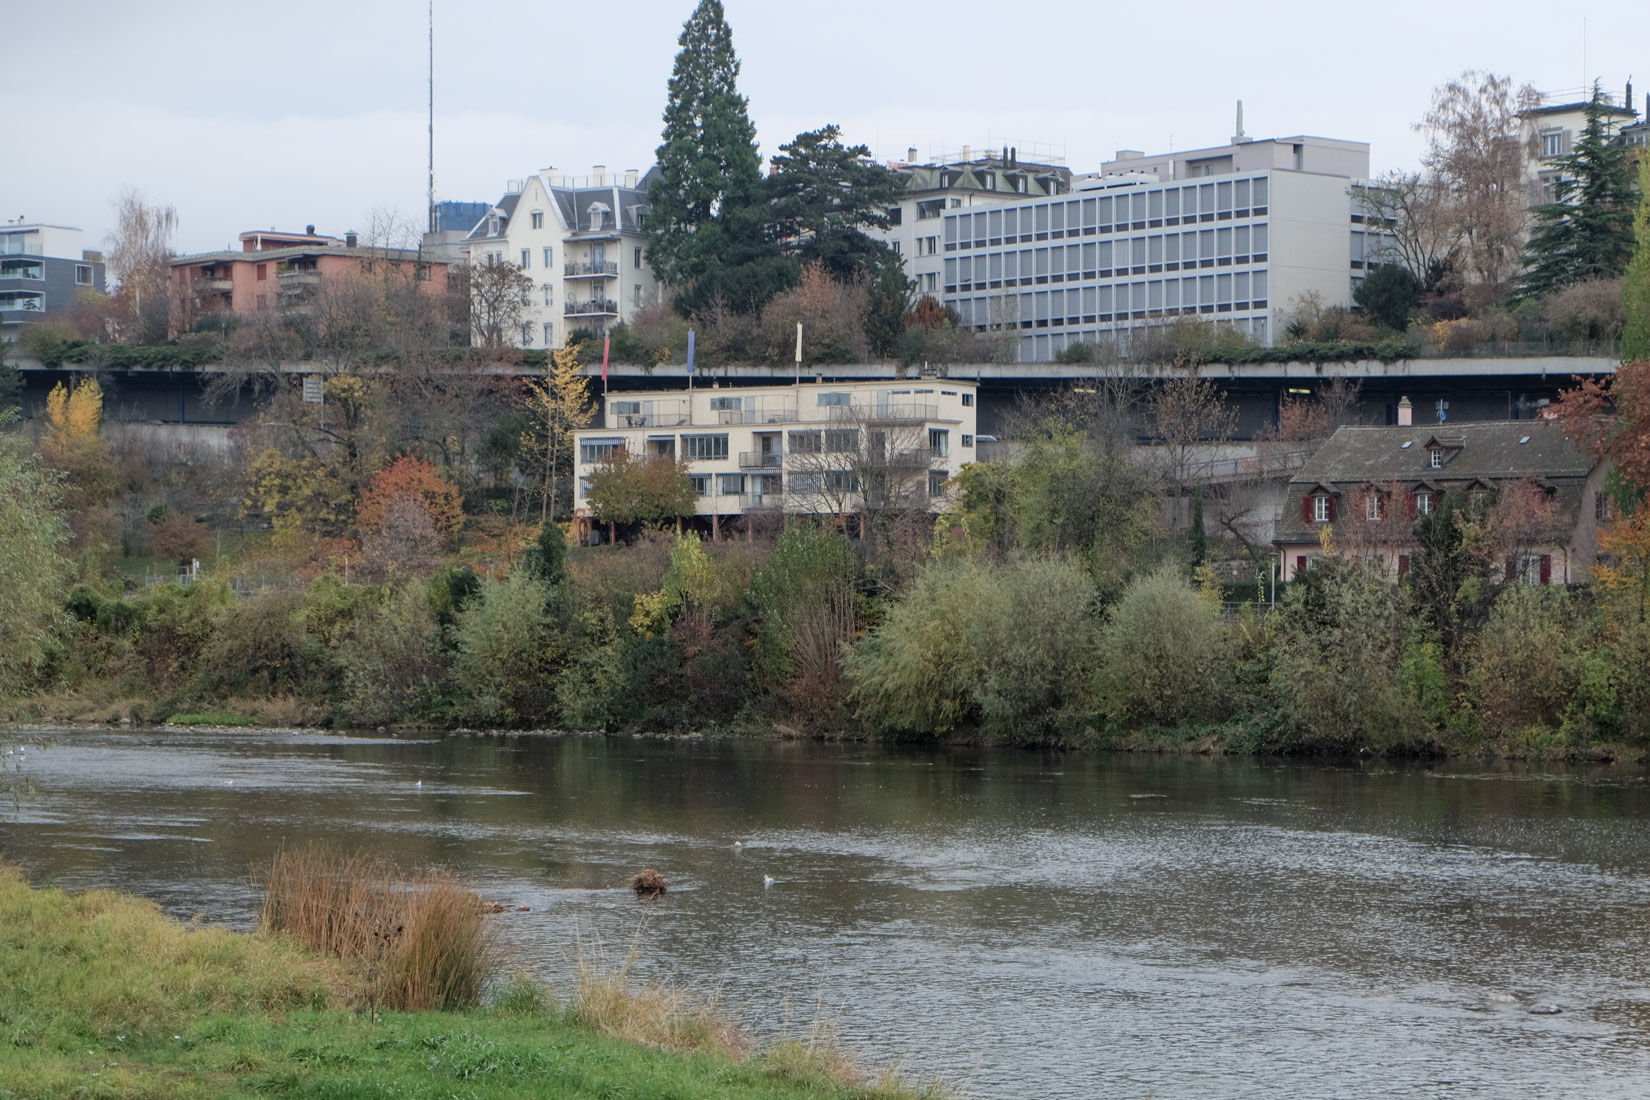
(580,240)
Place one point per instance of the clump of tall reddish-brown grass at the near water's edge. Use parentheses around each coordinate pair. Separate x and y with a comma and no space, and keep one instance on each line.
(420,941)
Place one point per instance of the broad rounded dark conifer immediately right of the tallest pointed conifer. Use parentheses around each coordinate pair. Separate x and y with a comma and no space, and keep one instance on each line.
(824,195)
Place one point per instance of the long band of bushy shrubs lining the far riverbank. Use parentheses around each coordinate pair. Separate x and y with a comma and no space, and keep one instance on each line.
(813,637)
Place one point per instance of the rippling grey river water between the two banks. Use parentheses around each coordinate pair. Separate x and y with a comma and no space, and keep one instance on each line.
(1021,924)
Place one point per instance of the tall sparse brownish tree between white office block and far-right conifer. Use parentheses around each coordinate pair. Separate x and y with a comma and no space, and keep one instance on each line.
(1478,151)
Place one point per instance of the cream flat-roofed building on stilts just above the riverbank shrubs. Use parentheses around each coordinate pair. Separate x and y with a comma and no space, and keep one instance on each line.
(829,449)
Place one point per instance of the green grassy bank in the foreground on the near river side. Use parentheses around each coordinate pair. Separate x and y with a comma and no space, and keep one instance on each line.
(105,997)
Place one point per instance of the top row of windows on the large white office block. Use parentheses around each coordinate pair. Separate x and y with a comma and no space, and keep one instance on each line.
(1113,214)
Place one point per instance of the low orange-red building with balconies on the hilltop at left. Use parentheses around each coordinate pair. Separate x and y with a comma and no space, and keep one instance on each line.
(278,271)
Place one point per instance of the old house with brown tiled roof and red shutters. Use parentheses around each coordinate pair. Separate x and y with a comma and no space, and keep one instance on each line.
(1370,487)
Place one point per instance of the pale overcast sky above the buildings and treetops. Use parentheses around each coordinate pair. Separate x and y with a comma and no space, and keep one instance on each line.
(276,116)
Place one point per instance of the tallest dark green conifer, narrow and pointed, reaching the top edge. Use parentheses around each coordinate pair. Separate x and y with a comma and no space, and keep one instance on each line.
(705,205)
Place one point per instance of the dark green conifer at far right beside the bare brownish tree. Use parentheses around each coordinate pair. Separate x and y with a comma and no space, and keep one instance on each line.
(1588,230)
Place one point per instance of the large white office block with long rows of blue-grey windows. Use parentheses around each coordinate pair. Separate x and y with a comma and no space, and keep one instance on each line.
(1230,235)
